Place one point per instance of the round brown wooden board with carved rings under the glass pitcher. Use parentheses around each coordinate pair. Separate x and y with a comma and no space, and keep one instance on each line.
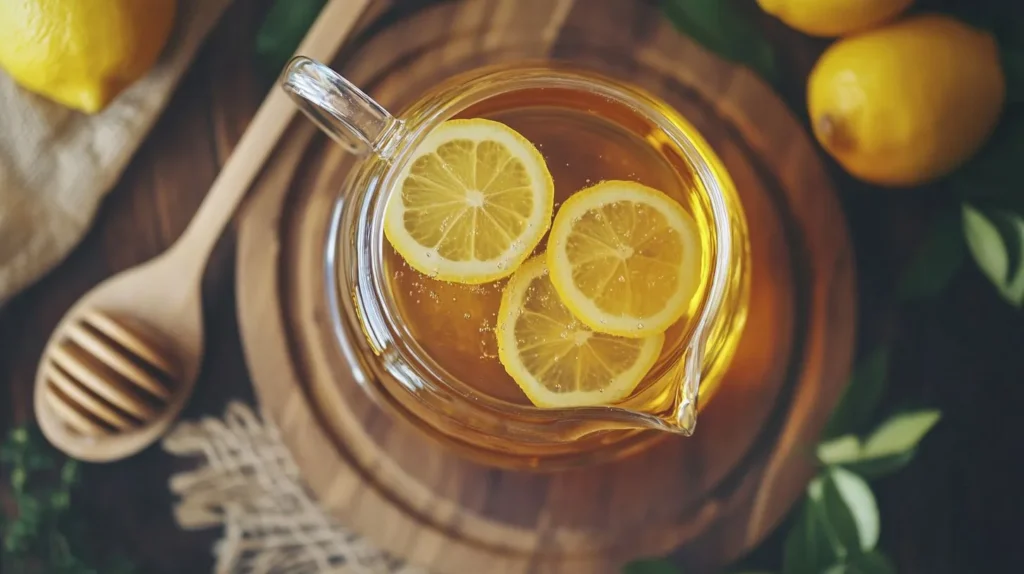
(708,499)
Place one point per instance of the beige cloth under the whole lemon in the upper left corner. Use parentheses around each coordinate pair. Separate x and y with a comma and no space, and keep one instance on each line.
(57,164)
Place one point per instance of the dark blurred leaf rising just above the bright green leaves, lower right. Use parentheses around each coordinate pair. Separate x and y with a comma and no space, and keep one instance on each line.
(862,395)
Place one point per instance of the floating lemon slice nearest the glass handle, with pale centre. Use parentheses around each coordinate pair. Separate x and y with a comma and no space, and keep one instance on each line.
(474,204)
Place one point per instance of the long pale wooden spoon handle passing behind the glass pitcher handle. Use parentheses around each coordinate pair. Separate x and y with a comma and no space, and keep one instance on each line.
(274,116)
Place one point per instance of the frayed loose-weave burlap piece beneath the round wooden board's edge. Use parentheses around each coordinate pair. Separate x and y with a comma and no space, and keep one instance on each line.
(247,482)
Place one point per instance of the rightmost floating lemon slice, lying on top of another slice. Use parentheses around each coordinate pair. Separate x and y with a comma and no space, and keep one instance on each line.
(625,258)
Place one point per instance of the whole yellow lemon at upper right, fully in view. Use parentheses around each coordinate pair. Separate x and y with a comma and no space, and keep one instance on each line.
(908,104)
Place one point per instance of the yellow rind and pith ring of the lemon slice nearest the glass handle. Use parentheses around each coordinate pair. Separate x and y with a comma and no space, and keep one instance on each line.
(428,261)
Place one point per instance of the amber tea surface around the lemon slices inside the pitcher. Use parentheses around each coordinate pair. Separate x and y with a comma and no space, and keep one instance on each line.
(585,140)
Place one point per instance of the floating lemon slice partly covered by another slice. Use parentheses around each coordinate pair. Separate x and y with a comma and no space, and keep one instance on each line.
(556,360)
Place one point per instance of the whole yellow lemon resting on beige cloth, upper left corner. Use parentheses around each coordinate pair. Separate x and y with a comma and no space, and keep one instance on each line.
(82,54)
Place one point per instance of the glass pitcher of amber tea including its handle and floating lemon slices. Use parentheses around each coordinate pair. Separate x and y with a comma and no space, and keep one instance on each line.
(532,263)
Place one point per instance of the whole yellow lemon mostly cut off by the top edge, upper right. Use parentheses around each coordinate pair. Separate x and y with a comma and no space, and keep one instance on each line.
(834,18)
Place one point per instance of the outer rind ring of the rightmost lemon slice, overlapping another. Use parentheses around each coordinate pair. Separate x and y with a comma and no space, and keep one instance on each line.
(562,270)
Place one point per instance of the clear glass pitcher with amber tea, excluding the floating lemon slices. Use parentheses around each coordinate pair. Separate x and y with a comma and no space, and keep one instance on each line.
(426,348)
